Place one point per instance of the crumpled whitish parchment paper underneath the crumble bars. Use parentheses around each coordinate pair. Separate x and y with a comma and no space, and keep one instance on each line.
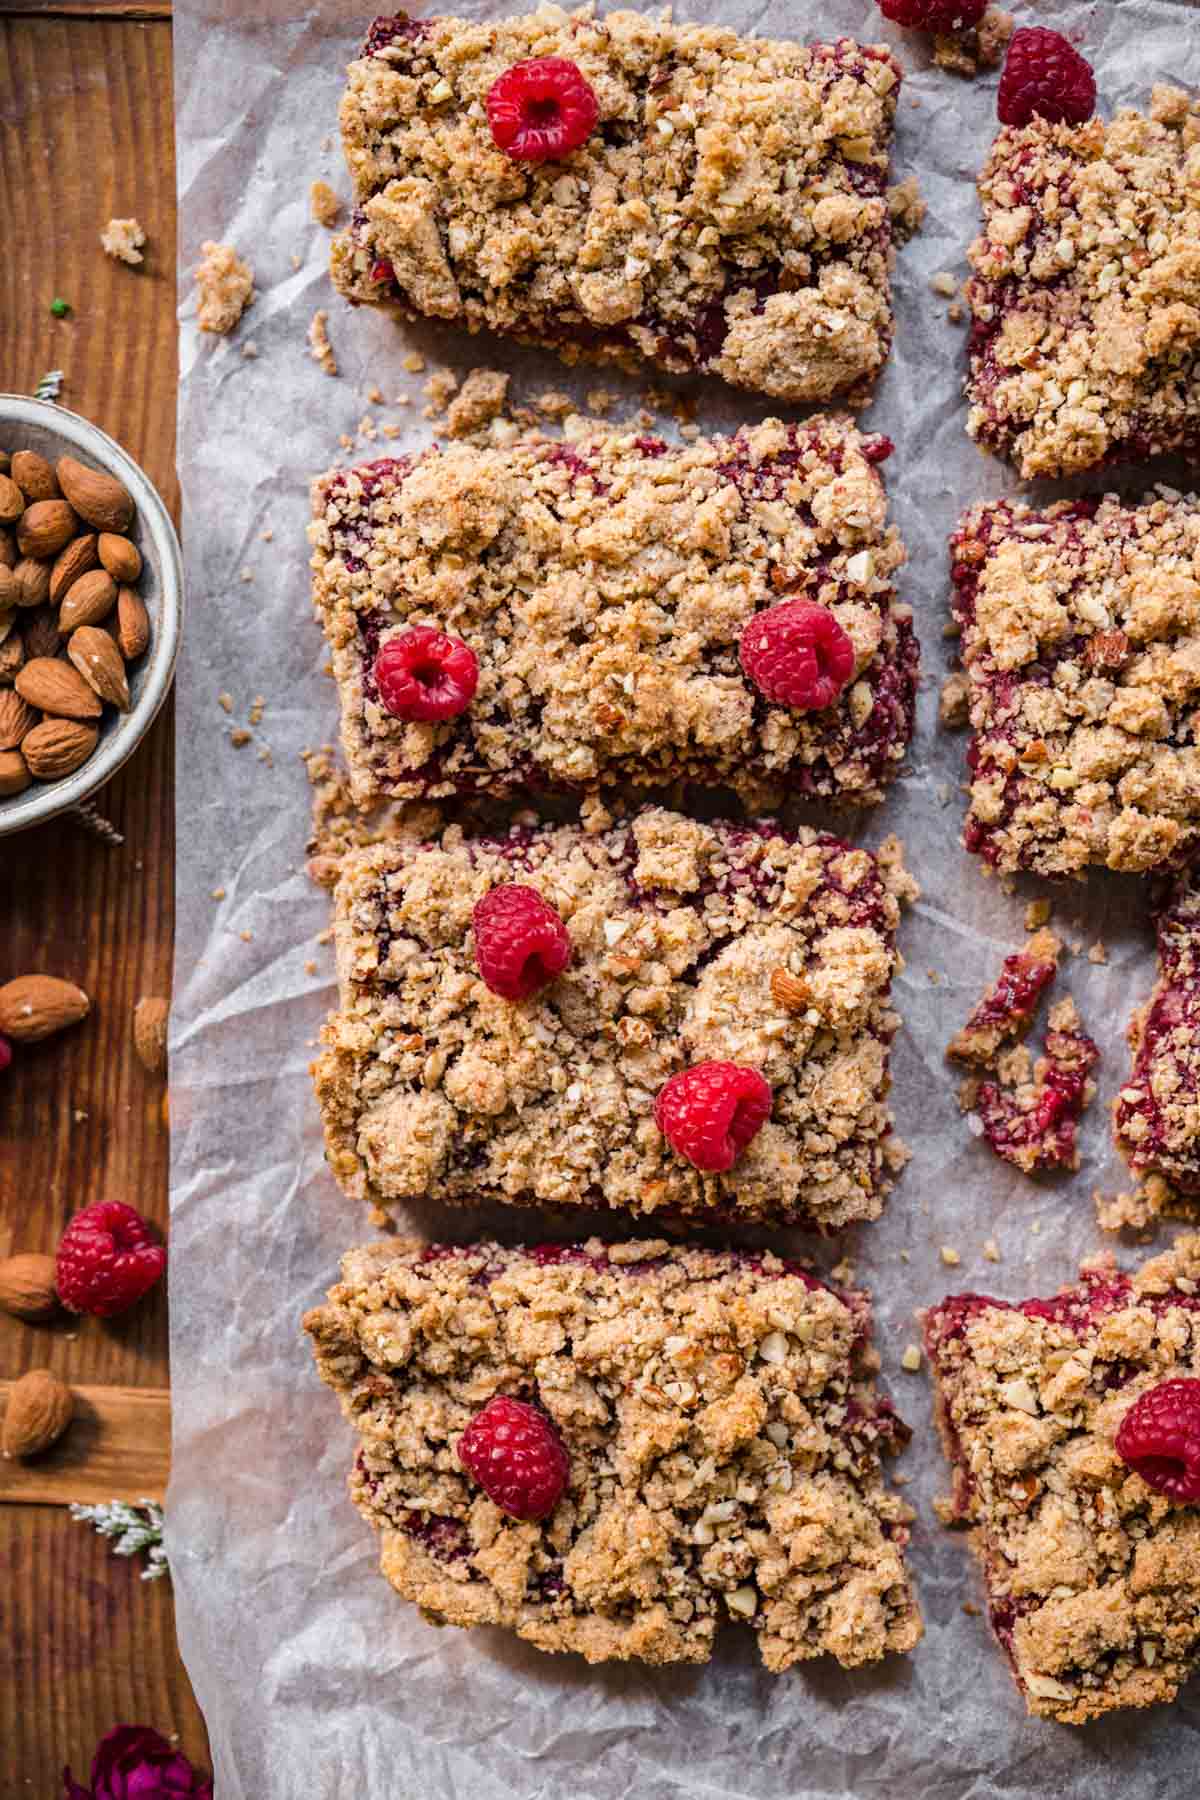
(316,1680)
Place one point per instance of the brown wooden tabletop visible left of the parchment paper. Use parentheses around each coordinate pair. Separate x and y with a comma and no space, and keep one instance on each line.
(85,134)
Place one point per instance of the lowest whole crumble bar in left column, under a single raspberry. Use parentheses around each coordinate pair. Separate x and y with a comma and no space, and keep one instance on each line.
(722,1446)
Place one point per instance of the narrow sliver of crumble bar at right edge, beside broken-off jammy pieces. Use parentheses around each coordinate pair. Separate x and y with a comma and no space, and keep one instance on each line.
(1158,1113)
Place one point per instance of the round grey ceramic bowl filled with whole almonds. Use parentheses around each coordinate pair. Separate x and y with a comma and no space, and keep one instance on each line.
(91,609)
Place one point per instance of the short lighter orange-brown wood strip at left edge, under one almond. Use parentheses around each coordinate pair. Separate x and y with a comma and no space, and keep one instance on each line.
(116,1448)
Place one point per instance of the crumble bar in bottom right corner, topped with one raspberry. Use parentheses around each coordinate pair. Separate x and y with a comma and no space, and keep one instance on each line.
(1073,1491)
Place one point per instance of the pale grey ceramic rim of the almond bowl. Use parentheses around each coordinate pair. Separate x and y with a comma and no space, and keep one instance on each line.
(39,804)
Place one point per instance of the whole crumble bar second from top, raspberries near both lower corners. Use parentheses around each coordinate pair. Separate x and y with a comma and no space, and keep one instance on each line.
(604,591)
